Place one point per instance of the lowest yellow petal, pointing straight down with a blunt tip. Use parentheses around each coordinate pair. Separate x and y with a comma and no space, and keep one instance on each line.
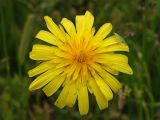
(83,101)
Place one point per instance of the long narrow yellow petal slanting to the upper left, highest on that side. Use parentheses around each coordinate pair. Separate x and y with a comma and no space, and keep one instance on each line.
(54,28)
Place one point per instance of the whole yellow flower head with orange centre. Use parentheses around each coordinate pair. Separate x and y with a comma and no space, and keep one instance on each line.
(79,60)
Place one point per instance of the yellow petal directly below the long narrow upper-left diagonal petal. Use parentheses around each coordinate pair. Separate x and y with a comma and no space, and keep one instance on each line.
(48,37)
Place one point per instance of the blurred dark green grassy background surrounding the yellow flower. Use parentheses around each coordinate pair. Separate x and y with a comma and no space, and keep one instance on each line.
(138,21)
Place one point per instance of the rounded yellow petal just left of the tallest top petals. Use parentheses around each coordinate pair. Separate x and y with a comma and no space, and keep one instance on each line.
(69,27)
